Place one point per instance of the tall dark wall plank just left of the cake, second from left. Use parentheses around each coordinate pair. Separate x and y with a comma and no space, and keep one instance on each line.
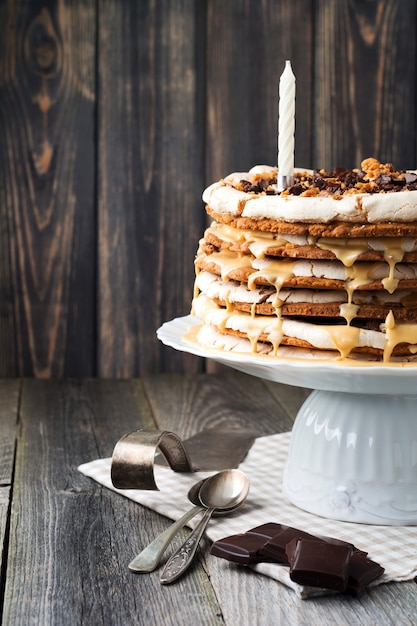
(150,178)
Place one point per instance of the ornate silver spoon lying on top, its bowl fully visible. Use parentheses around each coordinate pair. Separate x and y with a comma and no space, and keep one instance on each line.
(224,491)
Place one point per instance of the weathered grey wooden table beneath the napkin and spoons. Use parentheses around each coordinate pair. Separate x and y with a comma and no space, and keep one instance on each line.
(66,541)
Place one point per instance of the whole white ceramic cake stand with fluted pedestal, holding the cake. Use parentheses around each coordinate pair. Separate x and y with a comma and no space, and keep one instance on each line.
(353,449)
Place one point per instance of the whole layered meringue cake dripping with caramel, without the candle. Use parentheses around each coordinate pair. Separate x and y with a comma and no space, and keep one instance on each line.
(327,266)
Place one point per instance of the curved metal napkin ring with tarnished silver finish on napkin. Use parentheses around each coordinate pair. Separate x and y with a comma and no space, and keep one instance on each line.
(133,458)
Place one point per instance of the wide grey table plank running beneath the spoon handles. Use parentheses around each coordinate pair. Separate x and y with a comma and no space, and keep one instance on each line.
(71,539)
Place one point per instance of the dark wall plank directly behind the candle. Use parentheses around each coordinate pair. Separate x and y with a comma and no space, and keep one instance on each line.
(247,45)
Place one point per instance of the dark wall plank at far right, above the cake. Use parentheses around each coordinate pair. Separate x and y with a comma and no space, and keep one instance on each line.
(365,83)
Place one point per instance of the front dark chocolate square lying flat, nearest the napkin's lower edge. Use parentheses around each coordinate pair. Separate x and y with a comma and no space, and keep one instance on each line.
(320,564)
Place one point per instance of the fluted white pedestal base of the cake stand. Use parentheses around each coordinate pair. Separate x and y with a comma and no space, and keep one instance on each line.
(353,457)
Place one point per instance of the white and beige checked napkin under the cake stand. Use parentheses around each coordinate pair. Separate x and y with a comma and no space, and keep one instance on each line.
(393,547)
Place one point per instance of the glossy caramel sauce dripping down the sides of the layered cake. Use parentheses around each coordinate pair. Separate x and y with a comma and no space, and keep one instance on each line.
(277,272)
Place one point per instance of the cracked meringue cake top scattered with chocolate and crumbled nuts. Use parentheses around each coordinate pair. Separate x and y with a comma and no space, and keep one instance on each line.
(373,193)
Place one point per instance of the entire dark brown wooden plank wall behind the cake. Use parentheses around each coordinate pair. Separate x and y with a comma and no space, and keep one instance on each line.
(115,115)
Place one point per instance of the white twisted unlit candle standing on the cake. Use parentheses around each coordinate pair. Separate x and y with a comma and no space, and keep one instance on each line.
(286,128)
